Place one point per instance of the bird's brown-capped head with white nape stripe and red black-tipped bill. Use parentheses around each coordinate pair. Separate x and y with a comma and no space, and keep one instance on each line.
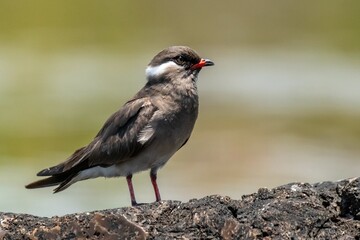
(175,62)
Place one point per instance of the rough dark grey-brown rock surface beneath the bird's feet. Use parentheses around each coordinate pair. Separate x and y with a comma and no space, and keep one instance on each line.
(327,210)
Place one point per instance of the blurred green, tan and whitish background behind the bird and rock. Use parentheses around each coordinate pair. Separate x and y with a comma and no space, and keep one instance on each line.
(282,103)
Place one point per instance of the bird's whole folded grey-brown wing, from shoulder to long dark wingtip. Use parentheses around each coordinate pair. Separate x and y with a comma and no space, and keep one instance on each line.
(121,137)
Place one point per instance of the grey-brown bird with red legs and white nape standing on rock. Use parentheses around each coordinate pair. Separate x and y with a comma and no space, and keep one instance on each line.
(145,132)
